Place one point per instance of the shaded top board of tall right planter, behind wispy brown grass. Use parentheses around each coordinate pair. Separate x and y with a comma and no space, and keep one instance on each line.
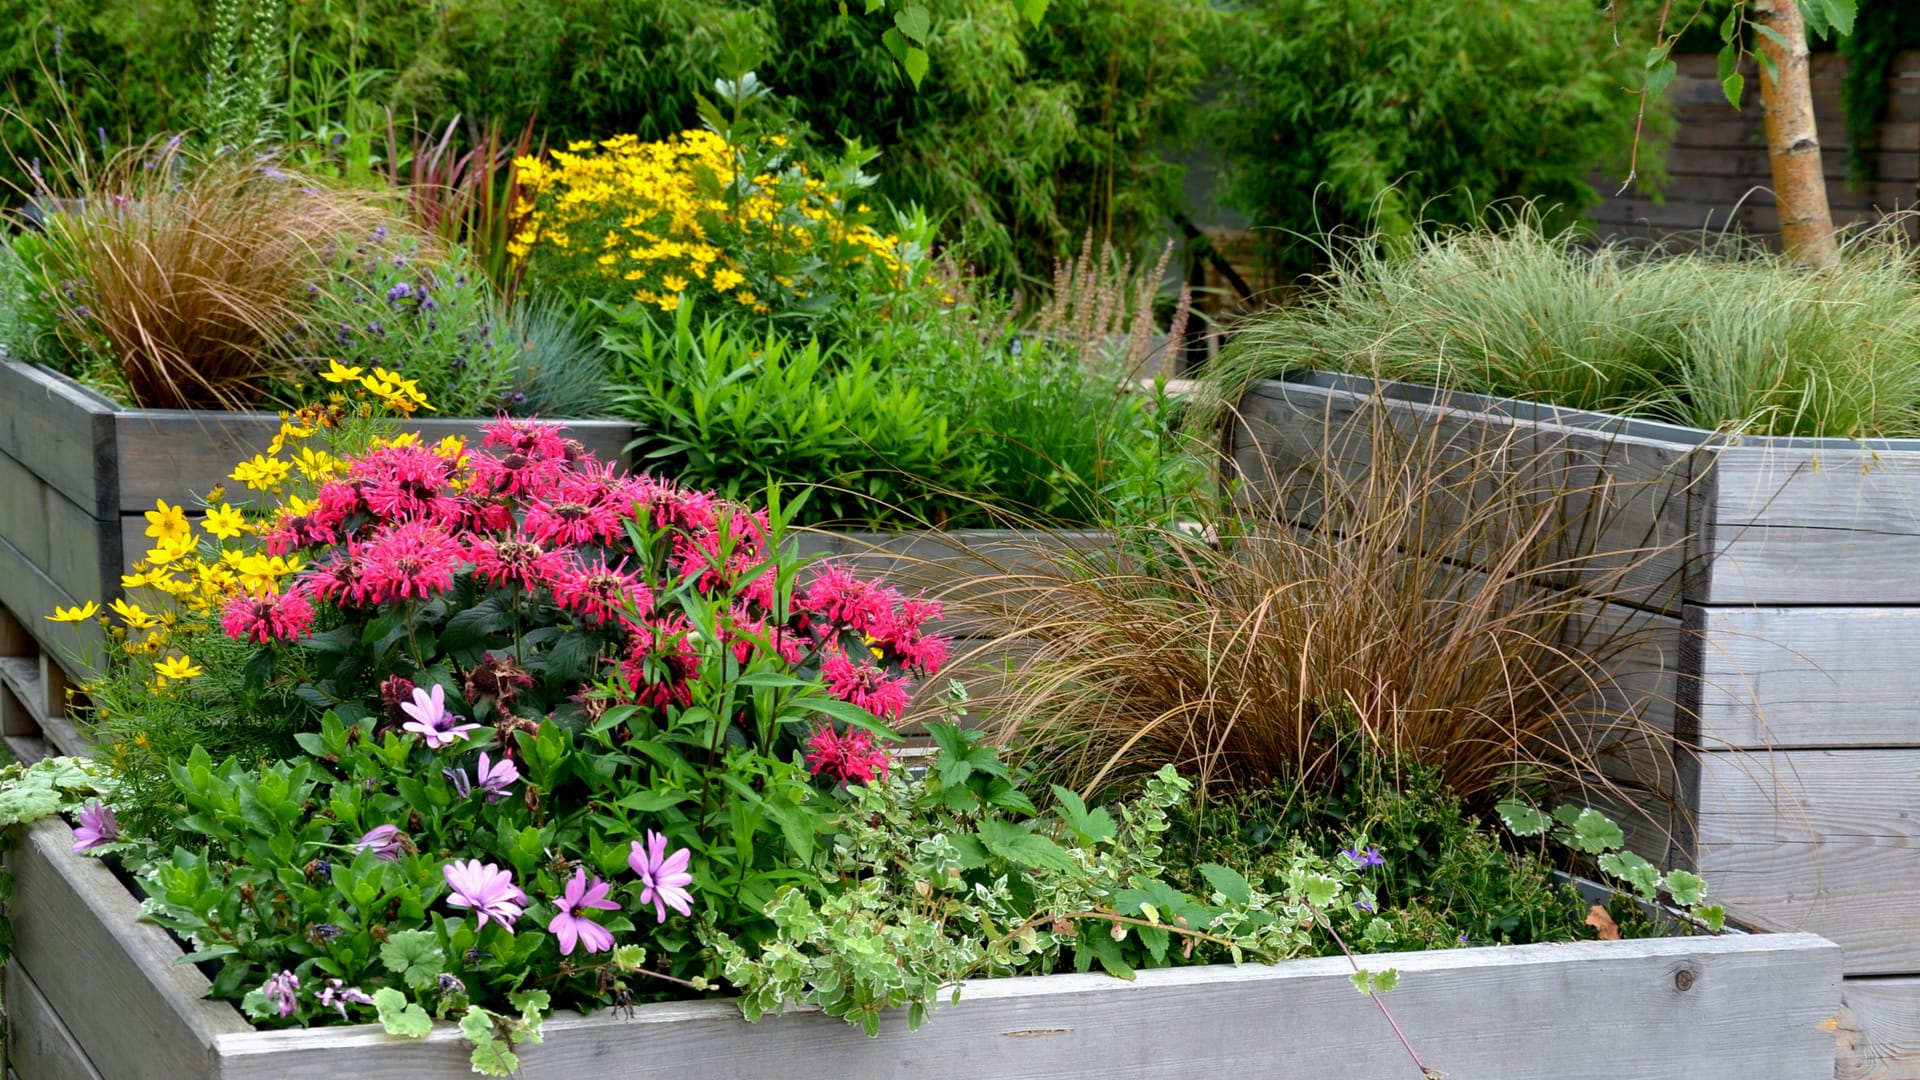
(1623,495)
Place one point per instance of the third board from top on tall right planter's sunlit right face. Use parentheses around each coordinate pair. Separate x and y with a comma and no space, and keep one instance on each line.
(1819,841)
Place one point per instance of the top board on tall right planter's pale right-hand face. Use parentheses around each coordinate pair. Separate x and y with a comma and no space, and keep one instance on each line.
(1792,526)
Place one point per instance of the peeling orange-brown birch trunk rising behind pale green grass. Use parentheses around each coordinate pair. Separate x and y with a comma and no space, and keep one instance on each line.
(1792,145)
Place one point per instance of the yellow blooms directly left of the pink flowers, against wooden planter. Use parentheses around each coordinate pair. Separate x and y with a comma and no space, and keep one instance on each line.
(199,577)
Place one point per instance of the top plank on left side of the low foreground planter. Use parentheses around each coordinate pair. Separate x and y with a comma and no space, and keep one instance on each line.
(112,979)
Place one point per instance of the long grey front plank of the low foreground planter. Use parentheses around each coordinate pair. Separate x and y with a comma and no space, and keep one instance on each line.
(1754,1008)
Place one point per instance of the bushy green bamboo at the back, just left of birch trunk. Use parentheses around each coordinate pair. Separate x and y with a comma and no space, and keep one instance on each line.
(1387,114)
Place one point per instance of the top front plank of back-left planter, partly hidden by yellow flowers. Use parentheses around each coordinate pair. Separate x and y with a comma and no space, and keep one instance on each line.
(178,453)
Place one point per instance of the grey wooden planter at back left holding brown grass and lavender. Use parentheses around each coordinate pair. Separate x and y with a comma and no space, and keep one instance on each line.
(78,474)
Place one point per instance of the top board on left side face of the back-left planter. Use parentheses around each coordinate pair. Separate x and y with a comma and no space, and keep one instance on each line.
(60,433)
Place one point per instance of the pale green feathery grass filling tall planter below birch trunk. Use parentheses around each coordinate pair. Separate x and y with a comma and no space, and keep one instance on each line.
(1727,337)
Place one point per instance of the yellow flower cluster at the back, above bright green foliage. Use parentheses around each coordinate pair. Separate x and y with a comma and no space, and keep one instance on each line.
(658,220)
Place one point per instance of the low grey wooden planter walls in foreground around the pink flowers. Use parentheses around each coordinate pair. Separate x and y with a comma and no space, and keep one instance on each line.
(93,994)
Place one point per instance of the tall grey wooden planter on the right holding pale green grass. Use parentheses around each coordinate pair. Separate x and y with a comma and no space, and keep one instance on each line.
(1785,658)
